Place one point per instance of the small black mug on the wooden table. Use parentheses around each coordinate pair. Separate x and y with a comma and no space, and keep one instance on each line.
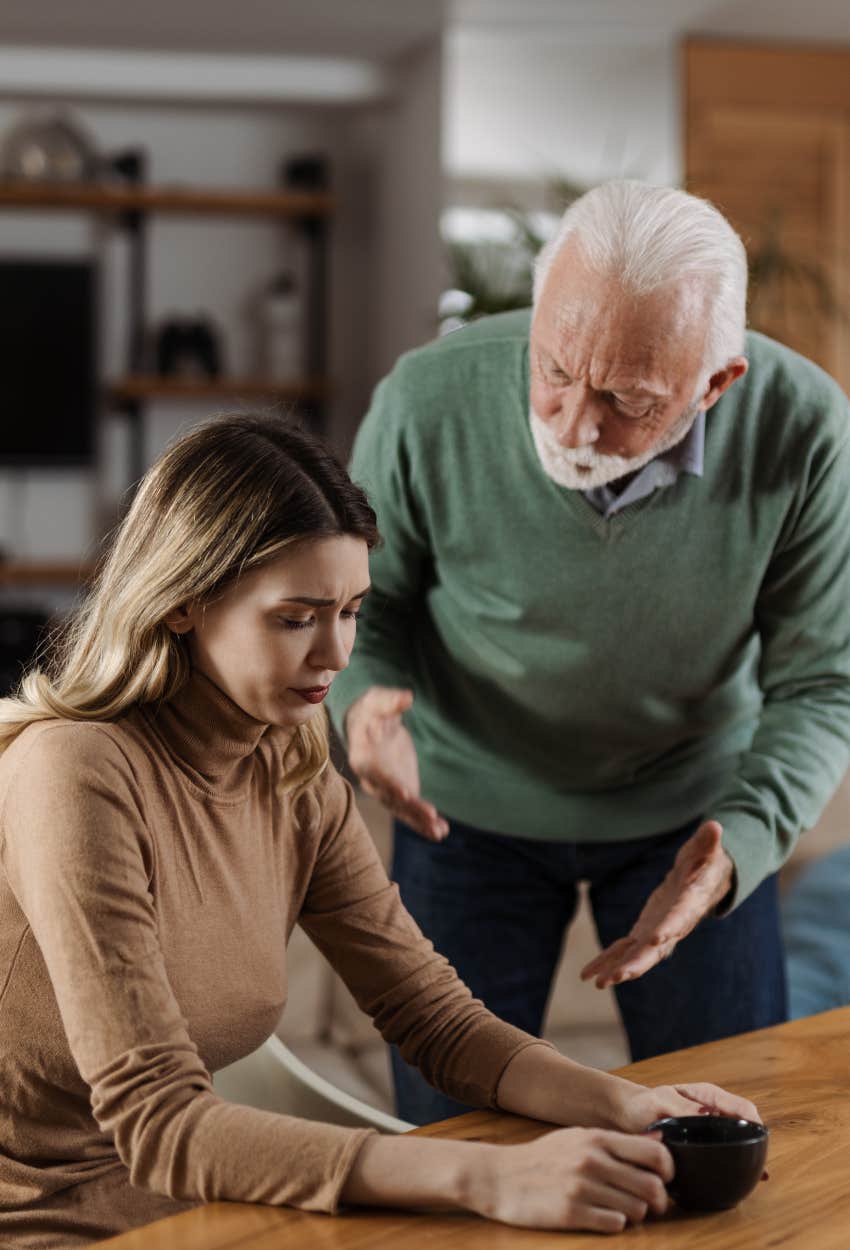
(718,1159)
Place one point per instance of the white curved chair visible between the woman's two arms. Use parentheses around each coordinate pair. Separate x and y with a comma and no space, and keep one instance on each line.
(274,1079)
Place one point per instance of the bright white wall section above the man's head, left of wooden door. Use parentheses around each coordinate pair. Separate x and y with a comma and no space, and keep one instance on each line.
(529,104)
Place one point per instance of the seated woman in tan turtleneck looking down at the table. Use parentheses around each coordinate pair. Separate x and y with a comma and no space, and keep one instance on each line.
(167,816)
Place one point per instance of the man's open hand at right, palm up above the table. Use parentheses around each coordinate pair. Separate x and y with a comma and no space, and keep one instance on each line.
(698,881)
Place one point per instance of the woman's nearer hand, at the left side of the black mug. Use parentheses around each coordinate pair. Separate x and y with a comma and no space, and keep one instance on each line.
(573,1179)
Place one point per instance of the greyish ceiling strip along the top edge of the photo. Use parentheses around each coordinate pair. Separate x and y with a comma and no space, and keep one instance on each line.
(381,31)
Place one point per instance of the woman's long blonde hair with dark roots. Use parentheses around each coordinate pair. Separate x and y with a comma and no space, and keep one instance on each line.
(223,499)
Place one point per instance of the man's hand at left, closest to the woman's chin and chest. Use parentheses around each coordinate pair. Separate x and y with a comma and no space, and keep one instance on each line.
(383,754)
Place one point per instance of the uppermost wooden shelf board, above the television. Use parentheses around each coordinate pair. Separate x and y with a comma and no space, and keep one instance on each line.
(108,199)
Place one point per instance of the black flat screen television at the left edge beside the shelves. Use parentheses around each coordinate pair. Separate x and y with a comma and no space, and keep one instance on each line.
(48,363)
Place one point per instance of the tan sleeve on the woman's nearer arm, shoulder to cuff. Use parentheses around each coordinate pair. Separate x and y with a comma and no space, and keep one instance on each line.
(83,867)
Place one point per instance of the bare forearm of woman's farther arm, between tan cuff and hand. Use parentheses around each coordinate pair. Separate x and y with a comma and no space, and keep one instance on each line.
(544,1086)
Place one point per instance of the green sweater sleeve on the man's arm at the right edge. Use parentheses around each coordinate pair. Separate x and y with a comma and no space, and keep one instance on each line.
(802,746)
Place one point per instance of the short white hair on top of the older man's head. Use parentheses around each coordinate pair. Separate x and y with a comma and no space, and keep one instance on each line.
(649,237)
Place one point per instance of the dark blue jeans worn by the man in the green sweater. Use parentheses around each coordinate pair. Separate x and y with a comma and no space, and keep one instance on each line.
(498,908)
